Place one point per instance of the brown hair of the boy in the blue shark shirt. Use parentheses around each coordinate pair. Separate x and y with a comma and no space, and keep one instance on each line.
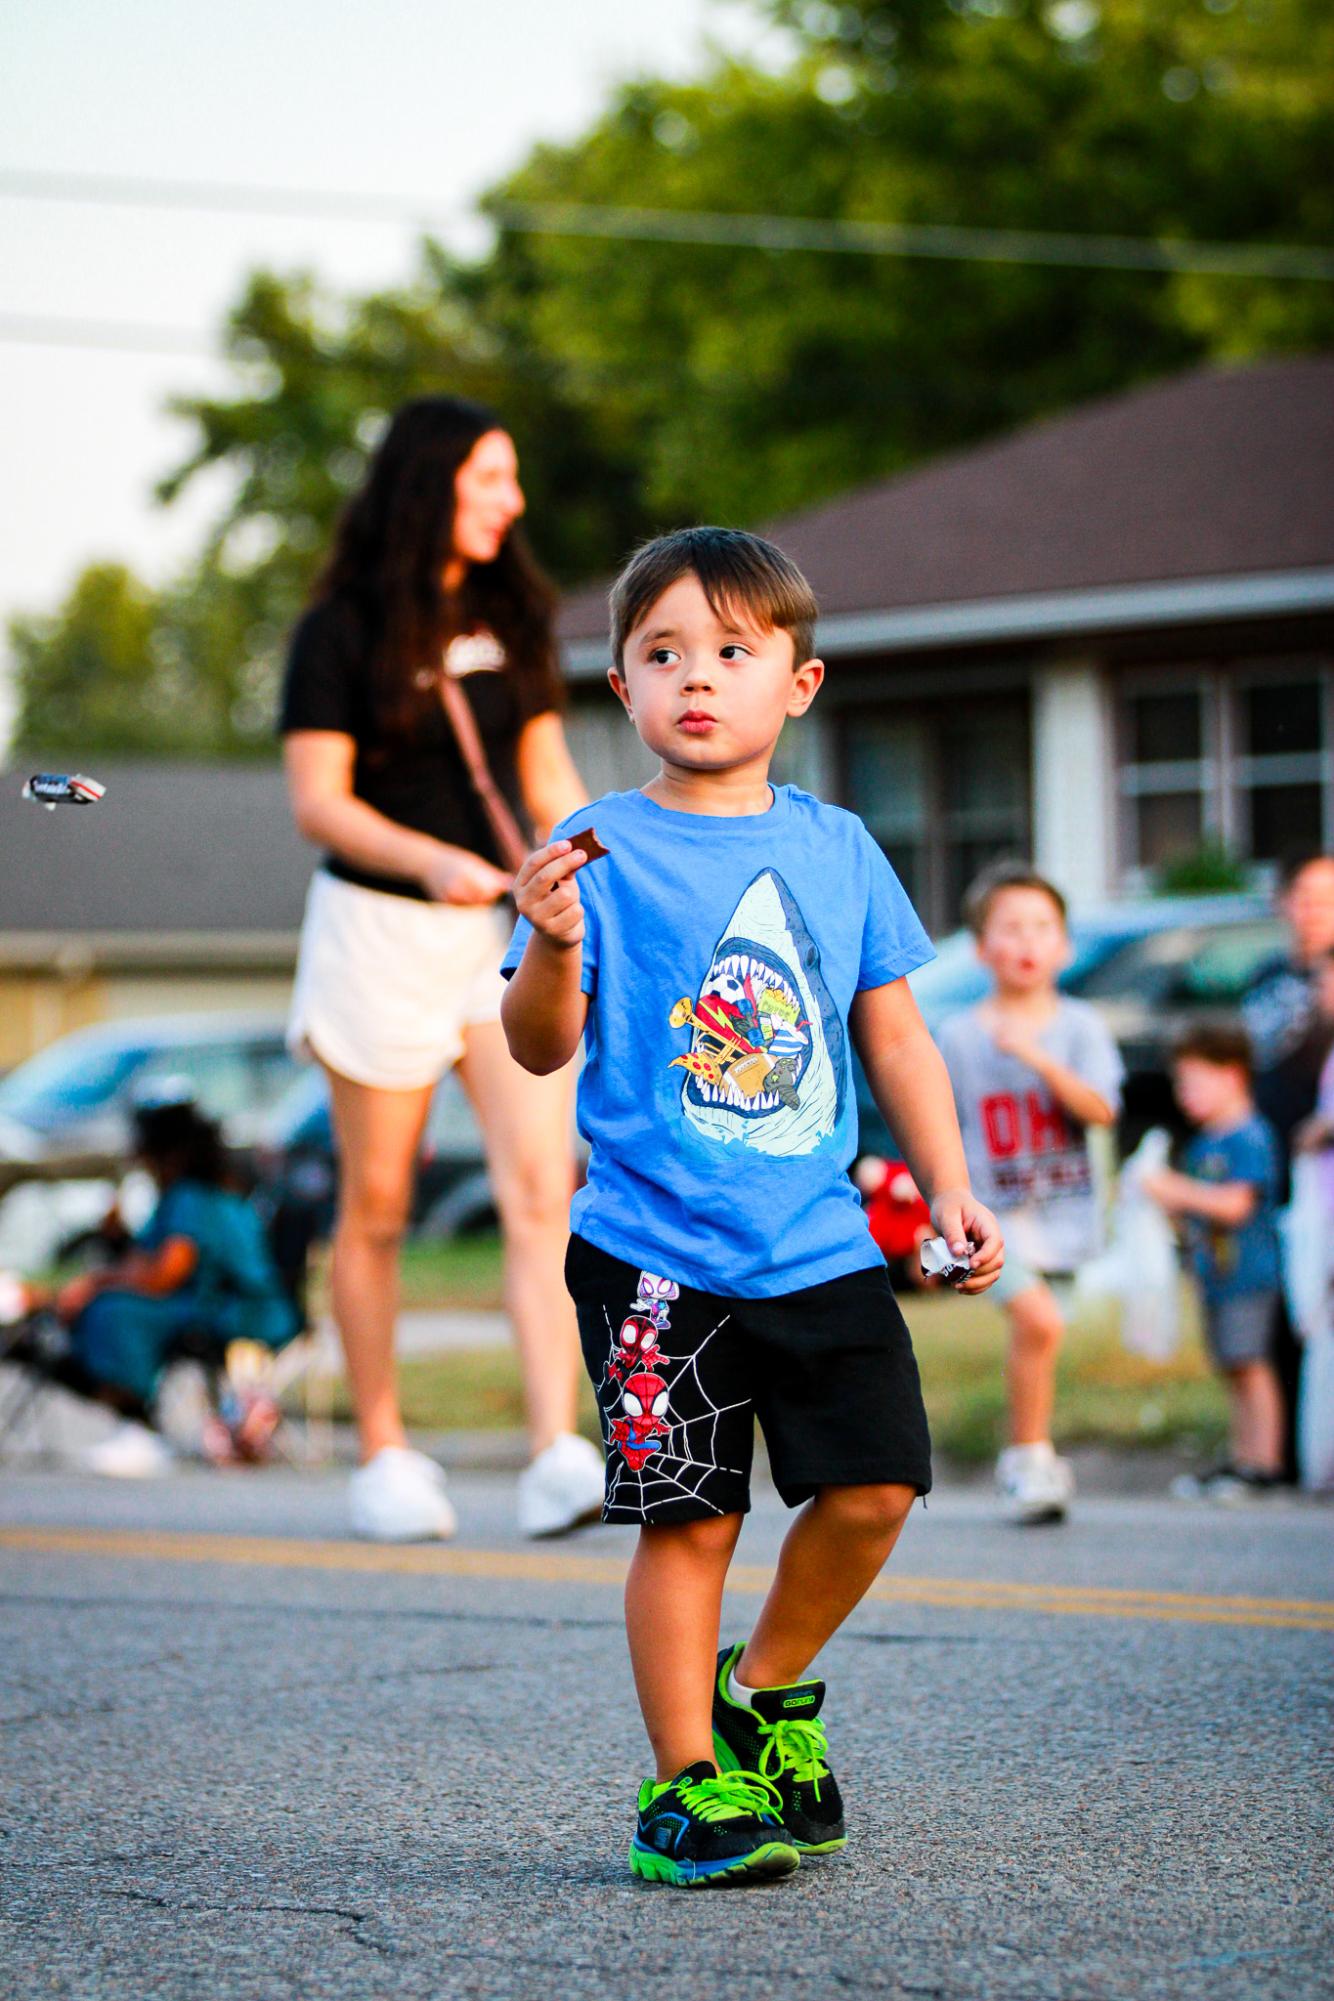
(737,573)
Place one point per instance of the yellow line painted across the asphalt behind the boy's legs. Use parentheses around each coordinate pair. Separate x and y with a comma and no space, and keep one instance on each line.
(565,1568)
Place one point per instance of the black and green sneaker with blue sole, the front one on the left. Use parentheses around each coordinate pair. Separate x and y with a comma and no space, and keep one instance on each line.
(707,1828)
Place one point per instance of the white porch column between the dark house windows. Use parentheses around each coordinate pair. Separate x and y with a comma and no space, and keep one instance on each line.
(1073,805)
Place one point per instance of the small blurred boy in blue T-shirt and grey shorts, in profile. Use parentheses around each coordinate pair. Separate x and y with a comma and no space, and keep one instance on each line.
(1227,1206)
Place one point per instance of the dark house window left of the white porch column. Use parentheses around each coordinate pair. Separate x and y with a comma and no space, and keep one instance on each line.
(943,789)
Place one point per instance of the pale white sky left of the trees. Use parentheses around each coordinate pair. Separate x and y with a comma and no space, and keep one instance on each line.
(425,101)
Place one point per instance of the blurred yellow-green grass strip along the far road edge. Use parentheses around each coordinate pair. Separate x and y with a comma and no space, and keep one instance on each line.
(1105,1396)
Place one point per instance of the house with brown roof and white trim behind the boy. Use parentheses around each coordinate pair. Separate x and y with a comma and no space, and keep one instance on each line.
(1105,641)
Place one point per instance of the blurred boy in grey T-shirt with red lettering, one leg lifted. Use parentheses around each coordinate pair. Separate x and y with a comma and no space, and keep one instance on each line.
(1033,1072)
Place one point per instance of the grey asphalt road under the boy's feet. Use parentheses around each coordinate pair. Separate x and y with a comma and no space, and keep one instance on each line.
(245,1758)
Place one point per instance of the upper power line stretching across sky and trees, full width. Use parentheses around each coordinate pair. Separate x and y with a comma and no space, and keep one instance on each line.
(695,227)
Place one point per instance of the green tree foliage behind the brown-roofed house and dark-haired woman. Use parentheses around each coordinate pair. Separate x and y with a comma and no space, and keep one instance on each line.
(653,383)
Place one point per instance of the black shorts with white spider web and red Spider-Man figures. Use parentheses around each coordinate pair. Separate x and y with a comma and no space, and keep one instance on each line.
(683,1378)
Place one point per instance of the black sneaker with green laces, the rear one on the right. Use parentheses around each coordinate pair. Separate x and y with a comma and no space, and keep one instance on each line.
(781,1740)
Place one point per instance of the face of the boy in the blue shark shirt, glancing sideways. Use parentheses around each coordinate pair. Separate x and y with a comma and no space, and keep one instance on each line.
(709,693)
